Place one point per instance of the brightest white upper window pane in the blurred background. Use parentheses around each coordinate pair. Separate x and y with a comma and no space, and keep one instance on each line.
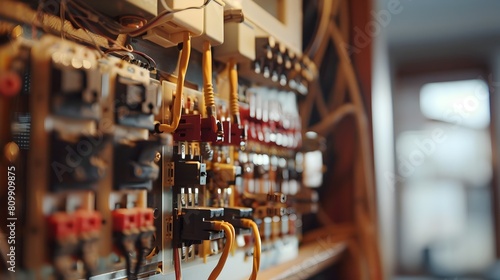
(464,103)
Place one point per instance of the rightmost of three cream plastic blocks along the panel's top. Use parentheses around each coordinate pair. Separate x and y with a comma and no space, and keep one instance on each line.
(239,43)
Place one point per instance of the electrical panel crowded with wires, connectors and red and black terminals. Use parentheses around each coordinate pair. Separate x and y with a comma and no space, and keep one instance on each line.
(137,154)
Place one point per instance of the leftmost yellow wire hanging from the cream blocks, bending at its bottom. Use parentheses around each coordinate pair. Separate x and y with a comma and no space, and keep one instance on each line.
(183,64)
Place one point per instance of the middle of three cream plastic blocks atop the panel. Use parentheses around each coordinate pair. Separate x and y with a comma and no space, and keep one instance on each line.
(213,26)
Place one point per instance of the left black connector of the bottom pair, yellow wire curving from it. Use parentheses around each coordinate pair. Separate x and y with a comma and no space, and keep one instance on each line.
(197,225)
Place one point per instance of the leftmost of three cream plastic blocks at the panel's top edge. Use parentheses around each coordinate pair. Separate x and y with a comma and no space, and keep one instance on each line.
(184,17)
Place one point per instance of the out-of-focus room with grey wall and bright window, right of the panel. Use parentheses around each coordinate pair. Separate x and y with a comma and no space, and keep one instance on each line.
(435,110)
